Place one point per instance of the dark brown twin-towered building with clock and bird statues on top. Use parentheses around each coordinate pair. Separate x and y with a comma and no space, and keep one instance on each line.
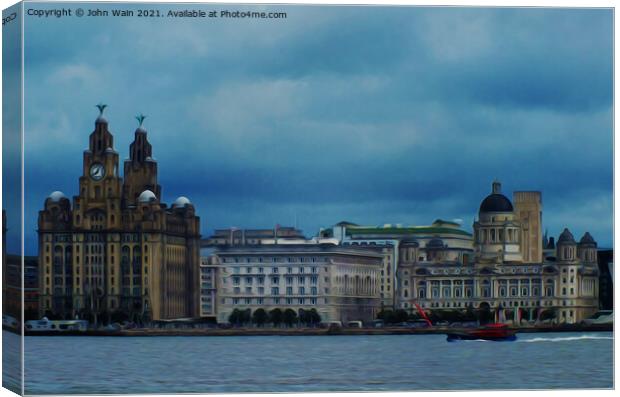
(116,247)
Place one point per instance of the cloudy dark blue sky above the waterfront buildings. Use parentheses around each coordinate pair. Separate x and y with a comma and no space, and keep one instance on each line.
(372,115)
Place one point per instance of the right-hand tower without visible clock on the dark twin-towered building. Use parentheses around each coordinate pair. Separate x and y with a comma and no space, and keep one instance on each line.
(140,170)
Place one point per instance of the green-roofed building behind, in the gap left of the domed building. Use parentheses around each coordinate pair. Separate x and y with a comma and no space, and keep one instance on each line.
(390,237)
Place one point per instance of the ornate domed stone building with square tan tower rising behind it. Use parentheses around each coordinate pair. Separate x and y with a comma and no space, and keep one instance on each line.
(507,275)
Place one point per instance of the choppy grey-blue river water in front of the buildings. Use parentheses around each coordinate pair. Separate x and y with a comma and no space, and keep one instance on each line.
(63,365)
